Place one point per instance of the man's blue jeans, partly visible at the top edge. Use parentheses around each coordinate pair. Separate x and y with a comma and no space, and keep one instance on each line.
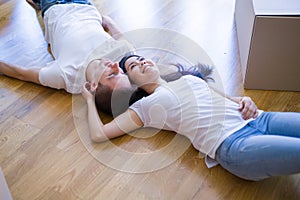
(44,5)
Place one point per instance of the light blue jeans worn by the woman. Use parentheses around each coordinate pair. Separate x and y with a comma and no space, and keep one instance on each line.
(268,146)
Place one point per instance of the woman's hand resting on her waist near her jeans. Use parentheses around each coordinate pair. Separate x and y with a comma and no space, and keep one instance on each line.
(248,108)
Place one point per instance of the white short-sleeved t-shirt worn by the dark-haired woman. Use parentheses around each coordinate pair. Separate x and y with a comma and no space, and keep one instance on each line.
(205,117)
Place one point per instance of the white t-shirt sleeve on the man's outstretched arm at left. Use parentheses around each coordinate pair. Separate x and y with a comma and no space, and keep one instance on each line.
(51,76)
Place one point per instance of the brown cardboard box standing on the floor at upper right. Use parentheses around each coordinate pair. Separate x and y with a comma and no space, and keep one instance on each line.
(268,34)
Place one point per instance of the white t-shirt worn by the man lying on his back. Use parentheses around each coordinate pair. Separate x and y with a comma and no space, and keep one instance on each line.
(74,31)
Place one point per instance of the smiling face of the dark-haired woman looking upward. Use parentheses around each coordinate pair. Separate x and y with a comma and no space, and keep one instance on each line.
(142,71)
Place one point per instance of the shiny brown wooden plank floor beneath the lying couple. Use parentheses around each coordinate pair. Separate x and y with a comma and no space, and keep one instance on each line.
(45,150)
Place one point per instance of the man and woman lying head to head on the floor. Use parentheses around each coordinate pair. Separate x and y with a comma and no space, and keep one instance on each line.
(231,131)
